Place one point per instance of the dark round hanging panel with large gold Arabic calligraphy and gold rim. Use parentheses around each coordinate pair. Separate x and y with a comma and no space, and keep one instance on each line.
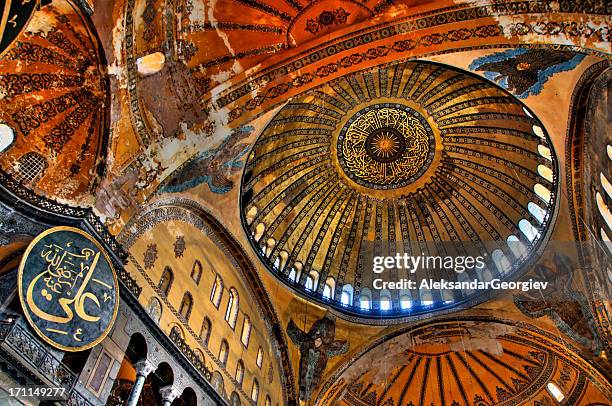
(68,289)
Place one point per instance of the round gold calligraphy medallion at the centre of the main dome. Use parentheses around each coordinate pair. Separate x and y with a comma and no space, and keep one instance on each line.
(386,146)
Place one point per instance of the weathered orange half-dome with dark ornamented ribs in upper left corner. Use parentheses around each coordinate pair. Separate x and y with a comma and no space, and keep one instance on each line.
(54,97)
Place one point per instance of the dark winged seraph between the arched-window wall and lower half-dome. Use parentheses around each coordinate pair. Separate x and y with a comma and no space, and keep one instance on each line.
(316,347)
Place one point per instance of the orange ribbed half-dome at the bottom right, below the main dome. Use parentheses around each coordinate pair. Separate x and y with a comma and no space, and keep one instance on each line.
(467,362)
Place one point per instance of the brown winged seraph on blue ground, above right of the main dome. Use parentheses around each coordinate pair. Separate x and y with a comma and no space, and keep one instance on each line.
(525,71)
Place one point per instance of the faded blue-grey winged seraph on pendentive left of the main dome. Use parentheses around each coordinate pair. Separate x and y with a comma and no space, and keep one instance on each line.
(213,167)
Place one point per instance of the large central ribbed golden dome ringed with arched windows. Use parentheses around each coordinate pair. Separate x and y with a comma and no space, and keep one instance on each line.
(412,157)
